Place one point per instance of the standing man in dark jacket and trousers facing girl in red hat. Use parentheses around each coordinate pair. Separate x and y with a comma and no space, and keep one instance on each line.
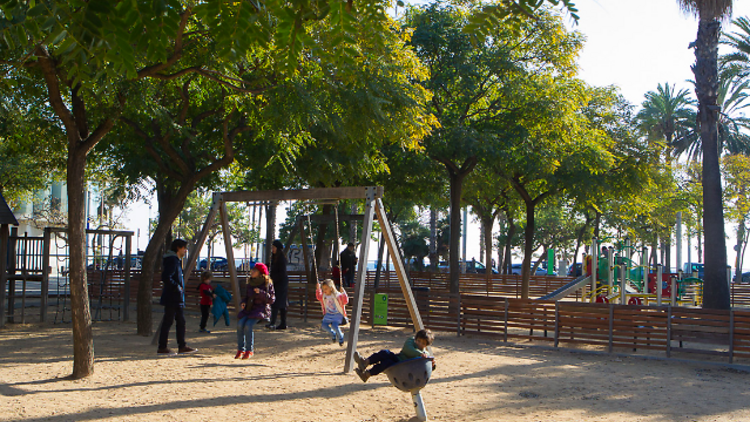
(173,298)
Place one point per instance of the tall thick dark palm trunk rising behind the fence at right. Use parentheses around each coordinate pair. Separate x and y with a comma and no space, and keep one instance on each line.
(706,71)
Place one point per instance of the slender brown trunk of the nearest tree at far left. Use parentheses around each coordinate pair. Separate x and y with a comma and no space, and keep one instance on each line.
(83,338)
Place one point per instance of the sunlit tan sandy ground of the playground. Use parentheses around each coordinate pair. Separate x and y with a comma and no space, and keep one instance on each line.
(296,375)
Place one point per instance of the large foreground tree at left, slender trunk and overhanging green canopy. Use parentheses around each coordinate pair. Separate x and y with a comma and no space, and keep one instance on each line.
(88,54)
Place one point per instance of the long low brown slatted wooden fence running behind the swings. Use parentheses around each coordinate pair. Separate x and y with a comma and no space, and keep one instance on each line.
(493,309)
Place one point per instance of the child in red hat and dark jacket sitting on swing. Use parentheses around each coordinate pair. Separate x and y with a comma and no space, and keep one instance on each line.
(256,306)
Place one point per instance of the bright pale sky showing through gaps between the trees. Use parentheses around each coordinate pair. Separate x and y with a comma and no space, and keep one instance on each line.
(633,44)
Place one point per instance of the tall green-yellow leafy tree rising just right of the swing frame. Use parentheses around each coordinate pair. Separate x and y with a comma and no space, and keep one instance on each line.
(472,77)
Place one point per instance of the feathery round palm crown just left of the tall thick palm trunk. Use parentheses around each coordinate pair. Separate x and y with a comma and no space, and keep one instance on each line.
(667,115)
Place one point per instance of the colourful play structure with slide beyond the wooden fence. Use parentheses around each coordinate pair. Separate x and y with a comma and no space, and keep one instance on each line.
(619,279)
